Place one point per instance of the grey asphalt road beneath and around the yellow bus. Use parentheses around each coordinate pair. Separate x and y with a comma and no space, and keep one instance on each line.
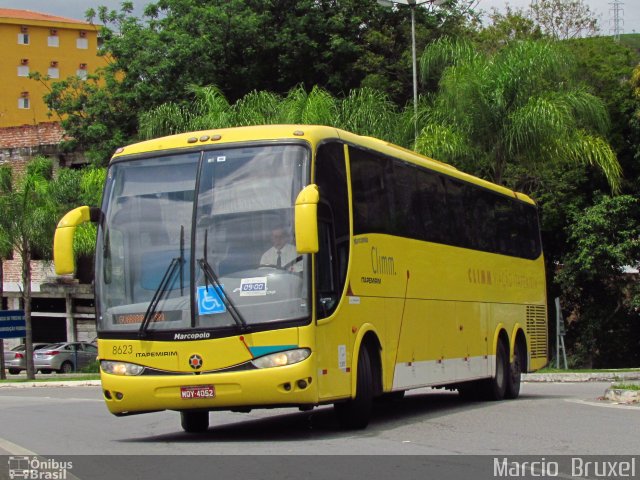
(549,418)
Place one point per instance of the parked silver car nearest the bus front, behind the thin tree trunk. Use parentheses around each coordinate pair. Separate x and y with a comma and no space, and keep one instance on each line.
(65,357)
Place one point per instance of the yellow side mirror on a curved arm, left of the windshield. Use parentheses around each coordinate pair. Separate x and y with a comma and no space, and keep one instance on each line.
(63,258)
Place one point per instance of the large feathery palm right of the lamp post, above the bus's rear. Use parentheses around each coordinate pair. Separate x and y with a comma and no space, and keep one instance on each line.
(518,106)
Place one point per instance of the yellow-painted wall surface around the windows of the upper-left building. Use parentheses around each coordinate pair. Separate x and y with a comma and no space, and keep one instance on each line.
(40,56)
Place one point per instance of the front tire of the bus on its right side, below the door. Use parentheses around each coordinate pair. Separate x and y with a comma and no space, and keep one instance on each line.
(355,413)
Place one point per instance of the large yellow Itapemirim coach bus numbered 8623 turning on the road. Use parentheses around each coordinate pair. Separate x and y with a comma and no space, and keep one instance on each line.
(298,265)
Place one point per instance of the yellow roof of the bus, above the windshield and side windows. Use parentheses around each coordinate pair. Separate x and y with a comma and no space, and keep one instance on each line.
(314,134)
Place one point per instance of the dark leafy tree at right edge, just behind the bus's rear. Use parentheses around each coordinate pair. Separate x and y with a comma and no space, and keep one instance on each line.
(603,245)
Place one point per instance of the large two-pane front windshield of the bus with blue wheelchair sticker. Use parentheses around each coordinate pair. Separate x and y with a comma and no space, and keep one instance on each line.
(202,240)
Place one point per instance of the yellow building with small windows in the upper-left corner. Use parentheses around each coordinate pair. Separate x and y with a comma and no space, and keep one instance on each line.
(53,46)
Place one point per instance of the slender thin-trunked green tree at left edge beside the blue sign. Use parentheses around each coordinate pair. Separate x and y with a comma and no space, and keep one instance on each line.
(28,228)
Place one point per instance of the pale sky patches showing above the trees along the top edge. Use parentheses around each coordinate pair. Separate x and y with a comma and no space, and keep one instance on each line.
(630,9)
